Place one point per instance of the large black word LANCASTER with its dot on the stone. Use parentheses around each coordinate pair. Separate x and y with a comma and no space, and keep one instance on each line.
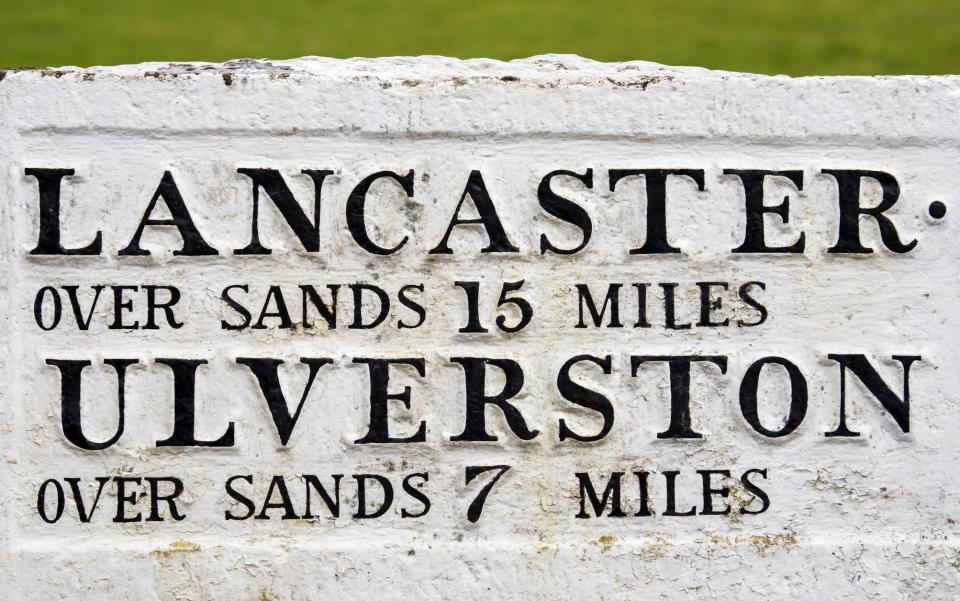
(759,212)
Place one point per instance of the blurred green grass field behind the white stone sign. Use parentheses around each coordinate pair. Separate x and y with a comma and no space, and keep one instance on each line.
(796,37)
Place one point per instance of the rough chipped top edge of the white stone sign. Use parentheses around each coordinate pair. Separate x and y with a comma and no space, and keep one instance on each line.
(541,67)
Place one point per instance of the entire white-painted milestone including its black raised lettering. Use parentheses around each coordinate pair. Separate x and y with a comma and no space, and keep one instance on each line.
(427,328)
